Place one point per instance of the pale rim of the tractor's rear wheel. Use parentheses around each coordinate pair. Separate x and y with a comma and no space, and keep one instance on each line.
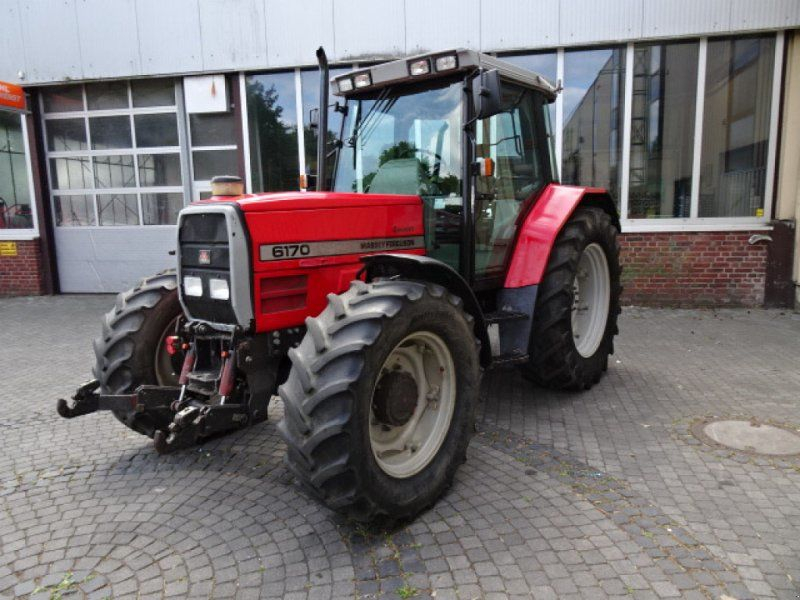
(591,298)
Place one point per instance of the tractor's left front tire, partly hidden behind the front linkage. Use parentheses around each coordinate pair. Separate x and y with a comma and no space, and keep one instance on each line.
(132,342)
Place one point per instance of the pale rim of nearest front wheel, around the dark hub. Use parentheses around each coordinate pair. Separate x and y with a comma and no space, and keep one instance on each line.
(404,450)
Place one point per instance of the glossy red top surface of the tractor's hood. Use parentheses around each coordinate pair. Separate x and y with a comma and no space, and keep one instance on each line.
(313,200)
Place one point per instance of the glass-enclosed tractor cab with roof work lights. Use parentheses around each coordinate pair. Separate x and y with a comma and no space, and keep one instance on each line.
(467,133)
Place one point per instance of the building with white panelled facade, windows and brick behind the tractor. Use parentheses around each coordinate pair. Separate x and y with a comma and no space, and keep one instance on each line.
(689,113)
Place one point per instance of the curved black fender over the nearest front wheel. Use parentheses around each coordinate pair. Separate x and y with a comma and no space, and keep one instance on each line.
(425,268)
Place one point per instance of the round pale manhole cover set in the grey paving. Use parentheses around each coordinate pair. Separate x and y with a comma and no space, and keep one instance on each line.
(749,436)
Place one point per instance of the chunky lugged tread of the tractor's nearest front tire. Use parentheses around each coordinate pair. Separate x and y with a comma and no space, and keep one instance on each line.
(320,392)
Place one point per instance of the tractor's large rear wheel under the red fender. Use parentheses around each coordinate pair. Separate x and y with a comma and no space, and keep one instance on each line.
(560,359)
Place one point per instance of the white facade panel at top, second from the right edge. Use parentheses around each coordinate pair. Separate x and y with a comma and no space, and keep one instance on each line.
(685,17)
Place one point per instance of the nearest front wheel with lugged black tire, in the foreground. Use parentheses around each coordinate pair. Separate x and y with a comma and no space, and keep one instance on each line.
(330,397)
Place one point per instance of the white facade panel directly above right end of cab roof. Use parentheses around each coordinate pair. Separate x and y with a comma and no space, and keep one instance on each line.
(511,25)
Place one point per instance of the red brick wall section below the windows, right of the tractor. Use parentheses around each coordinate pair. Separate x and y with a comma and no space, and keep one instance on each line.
(693,269)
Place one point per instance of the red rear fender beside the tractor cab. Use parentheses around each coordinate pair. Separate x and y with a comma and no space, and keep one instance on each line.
(543,224)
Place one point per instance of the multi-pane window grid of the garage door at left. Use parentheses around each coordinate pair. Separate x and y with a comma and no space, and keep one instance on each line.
(113,153)
